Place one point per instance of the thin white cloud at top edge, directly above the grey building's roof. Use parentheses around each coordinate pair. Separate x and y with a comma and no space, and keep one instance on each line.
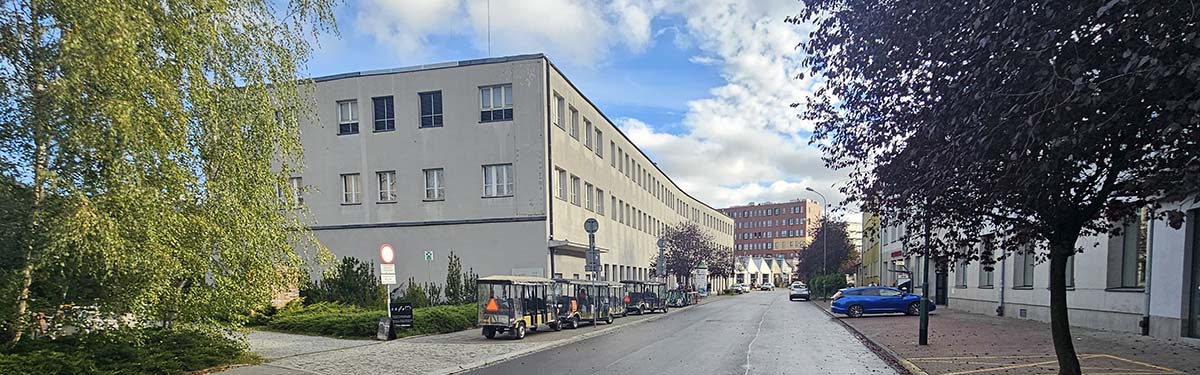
(580,32)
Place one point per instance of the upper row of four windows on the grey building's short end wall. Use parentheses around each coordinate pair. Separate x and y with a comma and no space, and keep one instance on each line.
(495,105)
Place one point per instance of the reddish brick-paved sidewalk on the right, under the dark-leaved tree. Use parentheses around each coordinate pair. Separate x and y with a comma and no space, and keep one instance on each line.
(963,343)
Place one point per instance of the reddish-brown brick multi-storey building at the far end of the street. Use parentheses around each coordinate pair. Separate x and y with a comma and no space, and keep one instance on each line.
(773,229)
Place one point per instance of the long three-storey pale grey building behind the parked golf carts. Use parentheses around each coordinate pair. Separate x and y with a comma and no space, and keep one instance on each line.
(497,160)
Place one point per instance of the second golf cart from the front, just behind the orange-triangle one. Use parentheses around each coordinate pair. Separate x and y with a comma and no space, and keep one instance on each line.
(581,301)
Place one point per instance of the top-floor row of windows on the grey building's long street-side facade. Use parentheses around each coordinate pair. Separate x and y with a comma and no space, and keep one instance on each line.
(568,118)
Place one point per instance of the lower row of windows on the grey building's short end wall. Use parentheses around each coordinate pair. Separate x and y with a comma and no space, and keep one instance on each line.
(497,182)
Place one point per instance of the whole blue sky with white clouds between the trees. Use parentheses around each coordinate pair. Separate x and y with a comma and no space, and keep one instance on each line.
(704,87)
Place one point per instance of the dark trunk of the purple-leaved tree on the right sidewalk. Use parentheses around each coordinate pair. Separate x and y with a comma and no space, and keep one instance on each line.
(1061,249)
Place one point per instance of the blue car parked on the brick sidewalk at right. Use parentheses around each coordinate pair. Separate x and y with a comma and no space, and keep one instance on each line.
(855,302)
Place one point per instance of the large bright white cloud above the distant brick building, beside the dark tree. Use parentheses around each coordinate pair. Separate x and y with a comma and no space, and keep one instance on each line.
(743,144)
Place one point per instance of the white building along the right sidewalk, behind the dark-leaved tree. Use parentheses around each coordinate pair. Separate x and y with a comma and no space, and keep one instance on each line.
(1147,281)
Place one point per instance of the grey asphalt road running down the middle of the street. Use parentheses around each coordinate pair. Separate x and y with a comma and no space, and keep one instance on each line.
(757,334)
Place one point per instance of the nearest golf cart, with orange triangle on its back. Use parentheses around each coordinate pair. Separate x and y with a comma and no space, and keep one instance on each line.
(515,305)
